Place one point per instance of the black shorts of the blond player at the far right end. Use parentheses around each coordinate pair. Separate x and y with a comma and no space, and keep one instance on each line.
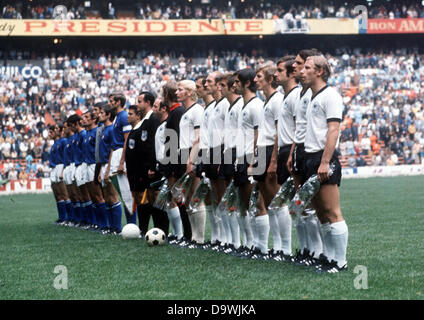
(313,161)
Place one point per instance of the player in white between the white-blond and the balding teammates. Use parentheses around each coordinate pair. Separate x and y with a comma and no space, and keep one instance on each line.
(204,161)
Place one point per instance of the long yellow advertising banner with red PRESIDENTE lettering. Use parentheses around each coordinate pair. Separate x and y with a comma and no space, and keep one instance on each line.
(136,27)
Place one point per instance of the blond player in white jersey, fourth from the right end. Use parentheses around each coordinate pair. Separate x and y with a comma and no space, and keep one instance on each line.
(268,145)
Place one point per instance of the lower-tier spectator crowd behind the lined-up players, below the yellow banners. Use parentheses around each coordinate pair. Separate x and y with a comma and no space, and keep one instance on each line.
(383,96)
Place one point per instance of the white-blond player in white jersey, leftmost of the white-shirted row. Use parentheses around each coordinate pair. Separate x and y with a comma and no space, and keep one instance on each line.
(189,148)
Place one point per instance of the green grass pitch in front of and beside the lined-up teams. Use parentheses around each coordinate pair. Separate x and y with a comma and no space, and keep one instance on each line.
(385,217)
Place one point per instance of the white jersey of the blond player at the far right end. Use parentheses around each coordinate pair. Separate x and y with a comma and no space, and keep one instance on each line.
(325,106)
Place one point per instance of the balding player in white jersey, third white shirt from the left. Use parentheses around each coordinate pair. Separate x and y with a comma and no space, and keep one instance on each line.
(216,121)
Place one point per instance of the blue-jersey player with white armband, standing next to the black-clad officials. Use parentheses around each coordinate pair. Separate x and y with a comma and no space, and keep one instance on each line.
(116,165)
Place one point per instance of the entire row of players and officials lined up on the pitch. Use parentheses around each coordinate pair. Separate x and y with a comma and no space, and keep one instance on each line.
(233,136)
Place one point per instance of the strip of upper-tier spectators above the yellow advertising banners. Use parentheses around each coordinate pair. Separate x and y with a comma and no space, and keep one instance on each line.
(212,10)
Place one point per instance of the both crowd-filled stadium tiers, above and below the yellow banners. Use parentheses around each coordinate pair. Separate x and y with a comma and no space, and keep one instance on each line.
(382,90)
